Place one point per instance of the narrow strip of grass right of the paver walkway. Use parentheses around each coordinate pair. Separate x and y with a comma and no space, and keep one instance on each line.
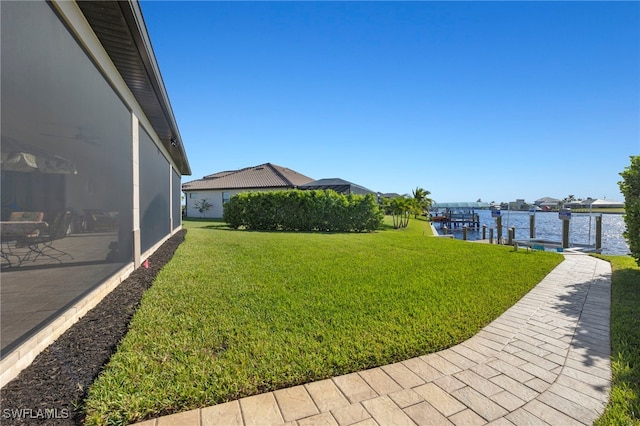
(624,402)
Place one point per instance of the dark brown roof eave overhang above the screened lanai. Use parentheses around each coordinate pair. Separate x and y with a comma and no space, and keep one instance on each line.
(138,67)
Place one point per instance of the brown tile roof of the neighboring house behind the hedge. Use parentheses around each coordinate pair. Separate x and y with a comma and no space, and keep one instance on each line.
(266,175)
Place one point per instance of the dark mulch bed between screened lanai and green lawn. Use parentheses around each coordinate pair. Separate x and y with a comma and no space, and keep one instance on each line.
(51,390)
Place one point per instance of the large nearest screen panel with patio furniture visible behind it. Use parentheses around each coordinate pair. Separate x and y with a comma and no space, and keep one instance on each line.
(66,166)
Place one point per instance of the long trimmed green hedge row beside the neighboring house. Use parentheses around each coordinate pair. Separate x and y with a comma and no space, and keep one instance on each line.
(297,210)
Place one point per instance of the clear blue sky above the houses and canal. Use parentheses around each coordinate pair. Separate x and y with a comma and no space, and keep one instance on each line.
(469,100)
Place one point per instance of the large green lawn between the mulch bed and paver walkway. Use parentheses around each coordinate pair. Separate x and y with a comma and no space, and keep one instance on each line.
(237,313)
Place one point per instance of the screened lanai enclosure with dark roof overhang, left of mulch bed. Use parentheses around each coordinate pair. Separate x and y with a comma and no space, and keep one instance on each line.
(91,162)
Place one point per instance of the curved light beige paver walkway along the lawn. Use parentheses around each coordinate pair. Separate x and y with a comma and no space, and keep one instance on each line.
(544,361)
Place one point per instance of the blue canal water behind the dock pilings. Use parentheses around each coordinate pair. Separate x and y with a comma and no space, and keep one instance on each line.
(548,227)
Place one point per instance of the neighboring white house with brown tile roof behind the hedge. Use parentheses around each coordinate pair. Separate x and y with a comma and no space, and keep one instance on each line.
(219,187)
